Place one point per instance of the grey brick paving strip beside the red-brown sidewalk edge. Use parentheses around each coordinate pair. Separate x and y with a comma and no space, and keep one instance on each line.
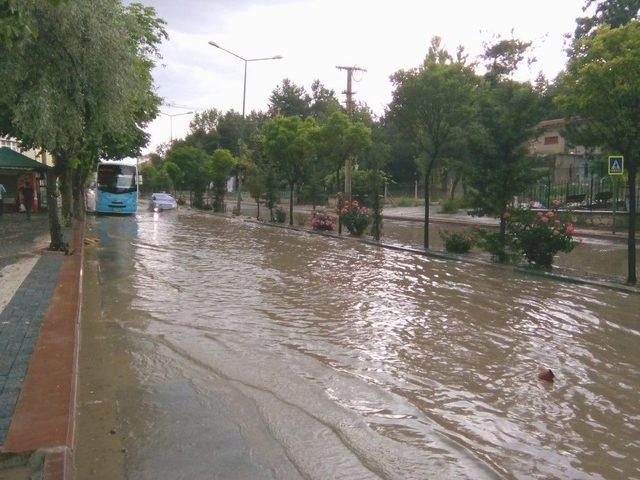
(20,323)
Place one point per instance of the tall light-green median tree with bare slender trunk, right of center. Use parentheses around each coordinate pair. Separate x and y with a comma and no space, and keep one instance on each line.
(435,102)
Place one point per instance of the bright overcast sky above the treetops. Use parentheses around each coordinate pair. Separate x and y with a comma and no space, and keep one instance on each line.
(314,36)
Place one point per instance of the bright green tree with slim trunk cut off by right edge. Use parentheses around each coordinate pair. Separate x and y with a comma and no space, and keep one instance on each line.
(601,97)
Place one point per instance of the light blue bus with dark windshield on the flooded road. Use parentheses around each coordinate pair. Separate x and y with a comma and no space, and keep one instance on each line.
(117,187)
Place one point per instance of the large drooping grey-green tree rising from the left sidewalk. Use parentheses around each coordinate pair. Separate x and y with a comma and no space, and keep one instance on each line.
(81,88)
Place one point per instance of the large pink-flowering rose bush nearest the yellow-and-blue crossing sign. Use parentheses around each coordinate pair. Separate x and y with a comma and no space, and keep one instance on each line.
(539,236)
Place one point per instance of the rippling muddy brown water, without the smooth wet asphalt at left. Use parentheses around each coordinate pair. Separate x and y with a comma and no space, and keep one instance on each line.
(378,363)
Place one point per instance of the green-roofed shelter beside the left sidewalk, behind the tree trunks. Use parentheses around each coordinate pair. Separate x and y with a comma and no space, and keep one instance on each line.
(17,169)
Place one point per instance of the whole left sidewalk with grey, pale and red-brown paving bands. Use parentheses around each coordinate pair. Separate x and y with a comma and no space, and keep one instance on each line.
(38,349)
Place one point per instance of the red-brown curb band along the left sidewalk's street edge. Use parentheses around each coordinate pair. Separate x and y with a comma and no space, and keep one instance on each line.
(44,417)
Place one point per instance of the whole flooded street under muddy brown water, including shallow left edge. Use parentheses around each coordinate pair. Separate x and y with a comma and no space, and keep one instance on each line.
(254,352)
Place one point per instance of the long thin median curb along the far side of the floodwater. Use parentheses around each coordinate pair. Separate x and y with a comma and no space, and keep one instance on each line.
(526,270)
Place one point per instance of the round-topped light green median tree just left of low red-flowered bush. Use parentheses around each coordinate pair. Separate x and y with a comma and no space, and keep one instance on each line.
(289,144)
